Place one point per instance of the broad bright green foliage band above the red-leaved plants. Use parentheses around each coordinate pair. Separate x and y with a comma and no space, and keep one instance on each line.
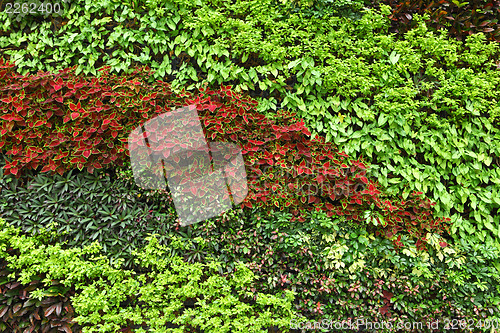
(401,100)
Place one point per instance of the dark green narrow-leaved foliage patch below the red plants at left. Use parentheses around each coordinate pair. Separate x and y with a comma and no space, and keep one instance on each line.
(82,208)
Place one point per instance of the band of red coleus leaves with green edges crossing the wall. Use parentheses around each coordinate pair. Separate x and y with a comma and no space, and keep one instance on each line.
(62,121)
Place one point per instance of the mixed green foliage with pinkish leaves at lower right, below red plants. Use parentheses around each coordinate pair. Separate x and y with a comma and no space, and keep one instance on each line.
(341,272)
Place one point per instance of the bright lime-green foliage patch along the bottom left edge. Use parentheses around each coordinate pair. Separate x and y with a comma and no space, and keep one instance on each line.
(108,299)
